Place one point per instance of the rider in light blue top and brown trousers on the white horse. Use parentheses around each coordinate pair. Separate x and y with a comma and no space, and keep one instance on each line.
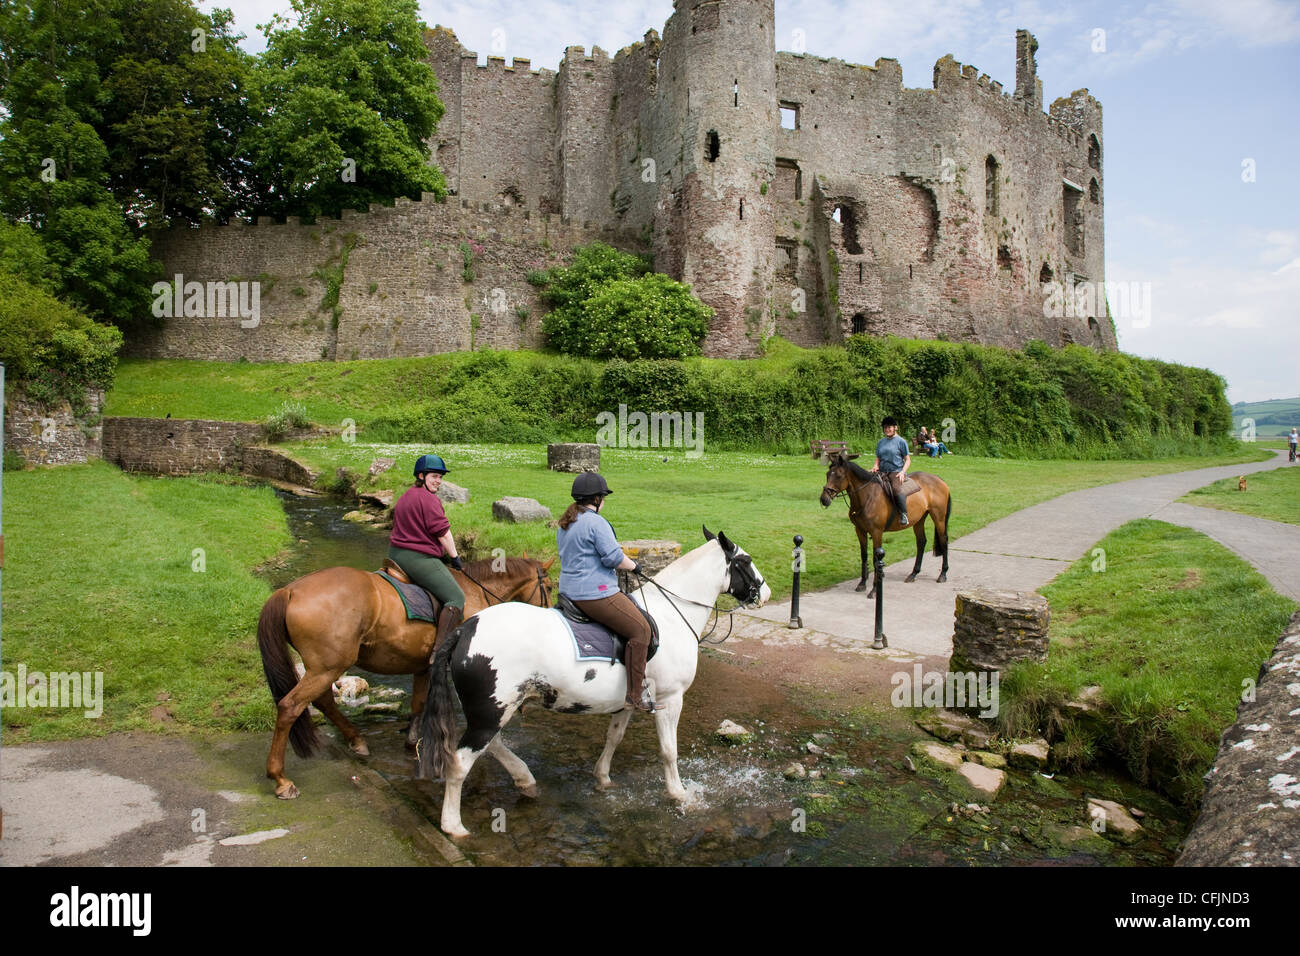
(590,559)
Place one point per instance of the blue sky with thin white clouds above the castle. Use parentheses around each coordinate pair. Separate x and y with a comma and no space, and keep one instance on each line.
(1191,90)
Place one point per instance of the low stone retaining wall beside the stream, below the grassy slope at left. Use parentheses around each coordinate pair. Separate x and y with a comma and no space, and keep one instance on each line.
(187,447)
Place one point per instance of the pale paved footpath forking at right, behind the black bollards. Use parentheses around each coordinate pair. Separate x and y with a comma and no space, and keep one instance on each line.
(1022,552)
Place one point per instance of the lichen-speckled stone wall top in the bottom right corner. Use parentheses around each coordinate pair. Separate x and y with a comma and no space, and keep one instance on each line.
(1251,811)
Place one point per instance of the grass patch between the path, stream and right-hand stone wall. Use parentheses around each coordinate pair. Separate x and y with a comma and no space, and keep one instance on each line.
(1169,631)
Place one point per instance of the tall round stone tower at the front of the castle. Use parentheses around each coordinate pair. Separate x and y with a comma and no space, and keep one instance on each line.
(717,142)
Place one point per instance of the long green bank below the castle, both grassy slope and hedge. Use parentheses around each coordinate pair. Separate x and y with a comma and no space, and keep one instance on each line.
(1034,404)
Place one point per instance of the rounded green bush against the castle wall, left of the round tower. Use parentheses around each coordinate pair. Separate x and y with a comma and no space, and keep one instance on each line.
(609,304)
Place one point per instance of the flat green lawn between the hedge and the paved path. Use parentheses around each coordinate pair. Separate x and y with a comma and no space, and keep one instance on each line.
(762,501)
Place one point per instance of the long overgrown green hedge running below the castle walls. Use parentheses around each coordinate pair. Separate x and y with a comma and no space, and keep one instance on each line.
(1041,403)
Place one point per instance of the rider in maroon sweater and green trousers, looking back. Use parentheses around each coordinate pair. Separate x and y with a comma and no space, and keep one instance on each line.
(422,543)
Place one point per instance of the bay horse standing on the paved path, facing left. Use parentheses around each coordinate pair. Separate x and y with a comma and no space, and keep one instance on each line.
(873,512)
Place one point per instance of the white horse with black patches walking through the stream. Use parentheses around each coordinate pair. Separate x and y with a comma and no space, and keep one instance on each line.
(513,654)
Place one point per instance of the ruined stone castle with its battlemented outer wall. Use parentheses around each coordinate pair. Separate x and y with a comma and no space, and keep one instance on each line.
(798,196)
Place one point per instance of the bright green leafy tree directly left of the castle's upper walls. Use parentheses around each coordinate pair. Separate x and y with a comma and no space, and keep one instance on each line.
(350,103)
